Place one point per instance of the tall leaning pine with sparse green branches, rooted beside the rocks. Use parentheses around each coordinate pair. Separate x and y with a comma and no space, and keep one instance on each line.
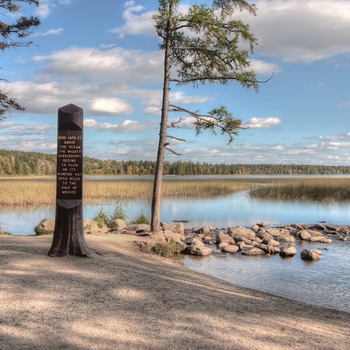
(202,45)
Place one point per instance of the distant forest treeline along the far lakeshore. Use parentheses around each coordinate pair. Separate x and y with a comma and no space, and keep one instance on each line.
(33,163)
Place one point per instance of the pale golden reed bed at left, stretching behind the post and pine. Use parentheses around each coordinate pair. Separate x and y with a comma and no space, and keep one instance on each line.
(24,192)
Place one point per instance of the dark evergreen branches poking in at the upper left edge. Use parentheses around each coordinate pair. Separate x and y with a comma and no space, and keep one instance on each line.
(14,35)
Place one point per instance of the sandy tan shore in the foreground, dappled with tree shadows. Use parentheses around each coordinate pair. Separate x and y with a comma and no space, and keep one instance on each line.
(119,298)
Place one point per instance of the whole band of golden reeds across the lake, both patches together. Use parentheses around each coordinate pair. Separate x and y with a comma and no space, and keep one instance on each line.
(28,191)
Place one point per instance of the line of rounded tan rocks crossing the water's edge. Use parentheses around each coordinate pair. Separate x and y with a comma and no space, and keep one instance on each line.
(260,240)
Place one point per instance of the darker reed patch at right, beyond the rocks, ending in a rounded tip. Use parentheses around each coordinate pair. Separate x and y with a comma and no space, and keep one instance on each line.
(306,189)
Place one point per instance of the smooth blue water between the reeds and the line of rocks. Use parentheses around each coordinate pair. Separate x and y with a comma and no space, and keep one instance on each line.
(224,211)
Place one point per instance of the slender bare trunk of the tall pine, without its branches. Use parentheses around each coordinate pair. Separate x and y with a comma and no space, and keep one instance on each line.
(158,177)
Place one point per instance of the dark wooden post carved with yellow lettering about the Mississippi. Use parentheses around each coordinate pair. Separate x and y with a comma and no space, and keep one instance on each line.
(68,238)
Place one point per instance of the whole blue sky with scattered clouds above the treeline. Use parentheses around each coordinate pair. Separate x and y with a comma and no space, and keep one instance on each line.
(103,56)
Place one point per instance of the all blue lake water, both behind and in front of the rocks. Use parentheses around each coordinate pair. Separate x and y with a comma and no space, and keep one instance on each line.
(325,282)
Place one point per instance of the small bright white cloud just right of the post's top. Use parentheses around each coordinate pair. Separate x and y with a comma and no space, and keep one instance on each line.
(110,106)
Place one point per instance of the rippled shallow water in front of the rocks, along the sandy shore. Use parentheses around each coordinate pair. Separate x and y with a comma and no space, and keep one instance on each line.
(325,282)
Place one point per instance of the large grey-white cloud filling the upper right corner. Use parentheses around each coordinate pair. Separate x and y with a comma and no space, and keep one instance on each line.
(299,30)
